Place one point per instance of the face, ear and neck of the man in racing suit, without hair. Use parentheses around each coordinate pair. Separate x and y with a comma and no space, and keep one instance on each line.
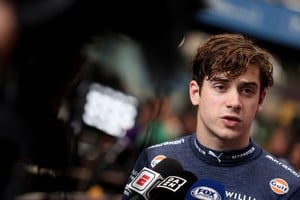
(226,108)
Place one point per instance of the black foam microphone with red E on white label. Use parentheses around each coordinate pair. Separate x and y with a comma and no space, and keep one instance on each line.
(147,178)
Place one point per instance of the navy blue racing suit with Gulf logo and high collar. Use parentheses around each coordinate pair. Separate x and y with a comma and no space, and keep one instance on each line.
(247,174)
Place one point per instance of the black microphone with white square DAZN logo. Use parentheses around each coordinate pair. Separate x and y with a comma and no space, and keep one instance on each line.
(173,187)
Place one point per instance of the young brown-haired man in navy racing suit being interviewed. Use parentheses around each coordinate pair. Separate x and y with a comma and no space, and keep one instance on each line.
(230,80)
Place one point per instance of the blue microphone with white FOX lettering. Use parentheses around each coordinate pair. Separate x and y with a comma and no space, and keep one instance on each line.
(205,189)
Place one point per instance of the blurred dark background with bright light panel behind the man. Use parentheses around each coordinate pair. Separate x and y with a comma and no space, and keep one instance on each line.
(85,86)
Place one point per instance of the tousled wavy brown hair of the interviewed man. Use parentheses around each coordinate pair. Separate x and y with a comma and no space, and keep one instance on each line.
(230,54)
